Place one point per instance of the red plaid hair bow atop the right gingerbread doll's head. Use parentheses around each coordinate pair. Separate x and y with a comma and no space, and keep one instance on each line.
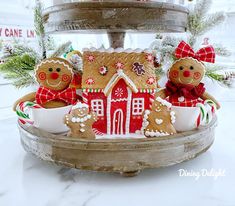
(206,54)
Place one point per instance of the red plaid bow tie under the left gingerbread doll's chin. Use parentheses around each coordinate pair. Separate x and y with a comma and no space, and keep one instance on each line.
(45,95)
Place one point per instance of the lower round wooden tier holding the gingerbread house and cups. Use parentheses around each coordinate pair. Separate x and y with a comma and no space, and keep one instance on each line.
(125,156)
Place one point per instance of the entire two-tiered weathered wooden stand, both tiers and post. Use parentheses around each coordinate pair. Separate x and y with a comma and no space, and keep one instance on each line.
(126,156)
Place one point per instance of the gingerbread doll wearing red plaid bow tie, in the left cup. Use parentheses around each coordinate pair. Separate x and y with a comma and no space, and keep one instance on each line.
(54,76)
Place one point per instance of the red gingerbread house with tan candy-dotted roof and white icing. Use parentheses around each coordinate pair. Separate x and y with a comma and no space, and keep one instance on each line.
(118,85)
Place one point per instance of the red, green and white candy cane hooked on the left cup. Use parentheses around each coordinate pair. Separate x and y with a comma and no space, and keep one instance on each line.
(21,111)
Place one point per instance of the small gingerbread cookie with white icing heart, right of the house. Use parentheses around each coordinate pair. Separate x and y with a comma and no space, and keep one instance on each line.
(159,121)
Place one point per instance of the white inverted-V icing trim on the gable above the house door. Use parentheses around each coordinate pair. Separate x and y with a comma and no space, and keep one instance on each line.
(116,77)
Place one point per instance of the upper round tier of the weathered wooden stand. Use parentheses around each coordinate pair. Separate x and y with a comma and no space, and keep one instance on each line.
(116,17)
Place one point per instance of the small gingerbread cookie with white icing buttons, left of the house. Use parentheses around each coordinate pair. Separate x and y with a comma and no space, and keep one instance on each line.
(80,122)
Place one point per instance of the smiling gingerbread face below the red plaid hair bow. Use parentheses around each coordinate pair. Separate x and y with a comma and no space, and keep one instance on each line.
(187,71)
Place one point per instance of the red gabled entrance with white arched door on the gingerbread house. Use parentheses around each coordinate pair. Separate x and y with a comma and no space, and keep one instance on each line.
(118,111)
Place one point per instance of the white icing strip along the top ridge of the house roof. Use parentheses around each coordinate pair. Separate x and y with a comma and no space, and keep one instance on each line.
(118,50)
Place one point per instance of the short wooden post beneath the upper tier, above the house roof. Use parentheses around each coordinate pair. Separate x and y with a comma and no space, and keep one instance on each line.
(116,39)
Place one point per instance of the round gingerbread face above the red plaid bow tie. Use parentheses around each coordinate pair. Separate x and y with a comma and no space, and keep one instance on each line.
(54,73)
